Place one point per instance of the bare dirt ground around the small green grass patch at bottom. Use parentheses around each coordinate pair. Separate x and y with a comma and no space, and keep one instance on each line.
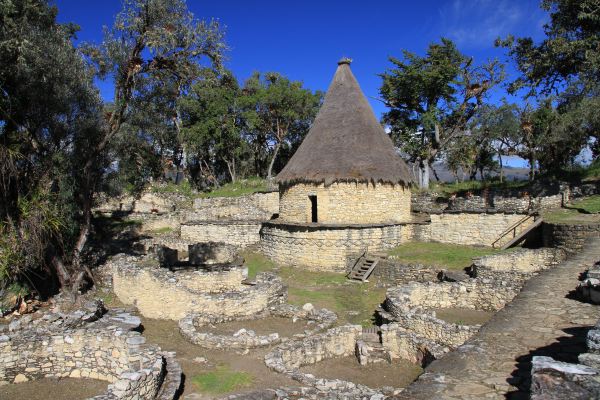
(166,335)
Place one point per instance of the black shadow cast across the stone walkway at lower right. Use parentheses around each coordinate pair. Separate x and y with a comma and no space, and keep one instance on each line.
(566,349)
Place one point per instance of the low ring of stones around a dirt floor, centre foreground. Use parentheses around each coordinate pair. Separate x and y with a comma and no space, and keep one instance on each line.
(191,327)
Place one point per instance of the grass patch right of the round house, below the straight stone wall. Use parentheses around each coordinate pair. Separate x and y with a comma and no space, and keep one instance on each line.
(450,256)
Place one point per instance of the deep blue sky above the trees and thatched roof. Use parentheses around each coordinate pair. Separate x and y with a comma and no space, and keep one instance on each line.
(304,39)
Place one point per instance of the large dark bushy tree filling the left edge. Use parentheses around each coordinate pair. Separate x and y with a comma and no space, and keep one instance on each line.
(49,124)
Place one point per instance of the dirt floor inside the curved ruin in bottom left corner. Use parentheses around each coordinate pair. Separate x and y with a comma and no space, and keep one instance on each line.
(55,389)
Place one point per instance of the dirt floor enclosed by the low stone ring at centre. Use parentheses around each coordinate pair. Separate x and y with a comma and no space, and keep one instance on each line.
(285,327)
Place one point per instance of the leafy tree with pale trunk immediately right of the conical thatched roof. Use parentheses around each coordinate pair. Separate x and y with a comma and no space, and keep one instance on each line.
(433,98)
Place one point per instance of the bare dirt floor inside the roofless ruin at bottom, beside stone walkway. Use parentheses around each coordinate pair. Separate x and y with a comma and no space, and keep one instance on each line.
(399,374)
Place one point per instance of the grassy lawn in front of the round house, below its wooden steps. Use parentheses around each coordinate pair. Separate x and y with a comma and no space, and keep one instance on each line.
(353,302)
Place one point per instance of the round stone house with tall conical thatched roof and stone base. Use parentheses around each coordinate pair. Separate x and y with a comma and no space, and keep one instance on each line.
(344,191)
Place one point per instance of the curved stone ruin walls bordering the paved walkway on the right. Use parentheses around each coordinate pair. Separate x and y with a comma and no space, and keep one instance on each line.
(499,278)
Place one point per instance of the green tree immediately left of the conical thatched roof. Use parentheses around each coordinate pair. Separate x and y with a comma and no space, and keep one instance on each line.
(277,112)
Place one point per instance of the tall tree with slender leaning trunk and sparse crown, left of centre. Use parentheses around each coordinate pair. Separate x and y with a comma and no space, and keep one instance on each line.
(151,42)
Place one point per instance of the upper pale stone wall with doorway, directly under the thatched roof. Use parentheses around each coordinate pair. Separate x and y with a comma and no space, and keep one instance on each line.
(346,203)
